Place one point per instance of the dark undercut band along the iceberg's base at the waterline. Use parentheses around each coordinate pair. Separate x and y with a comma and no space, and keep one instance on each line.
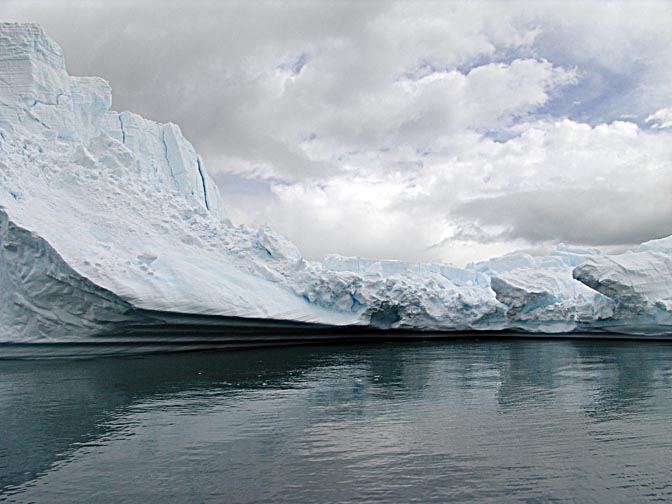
(158,332)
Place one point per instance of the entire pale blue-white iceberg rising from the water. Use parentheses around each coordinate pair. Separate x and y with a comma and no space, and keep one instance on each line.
(111,228)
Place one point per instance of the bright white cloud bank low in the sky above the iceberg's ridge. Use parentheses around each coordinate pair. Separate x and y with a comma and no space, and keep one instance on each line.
(557,182)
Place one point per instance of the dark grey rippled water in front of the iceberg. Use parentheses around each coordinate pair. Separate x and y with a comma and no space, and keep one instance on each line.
(491,421)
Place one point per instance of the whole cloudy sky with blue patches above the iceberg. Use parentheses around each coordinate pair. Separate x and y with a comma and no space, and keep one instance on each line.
(449,131)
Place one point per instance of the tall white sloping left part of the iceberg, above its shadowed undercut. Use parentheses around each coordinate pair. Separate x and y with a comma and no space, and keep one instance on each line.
(126,202)
